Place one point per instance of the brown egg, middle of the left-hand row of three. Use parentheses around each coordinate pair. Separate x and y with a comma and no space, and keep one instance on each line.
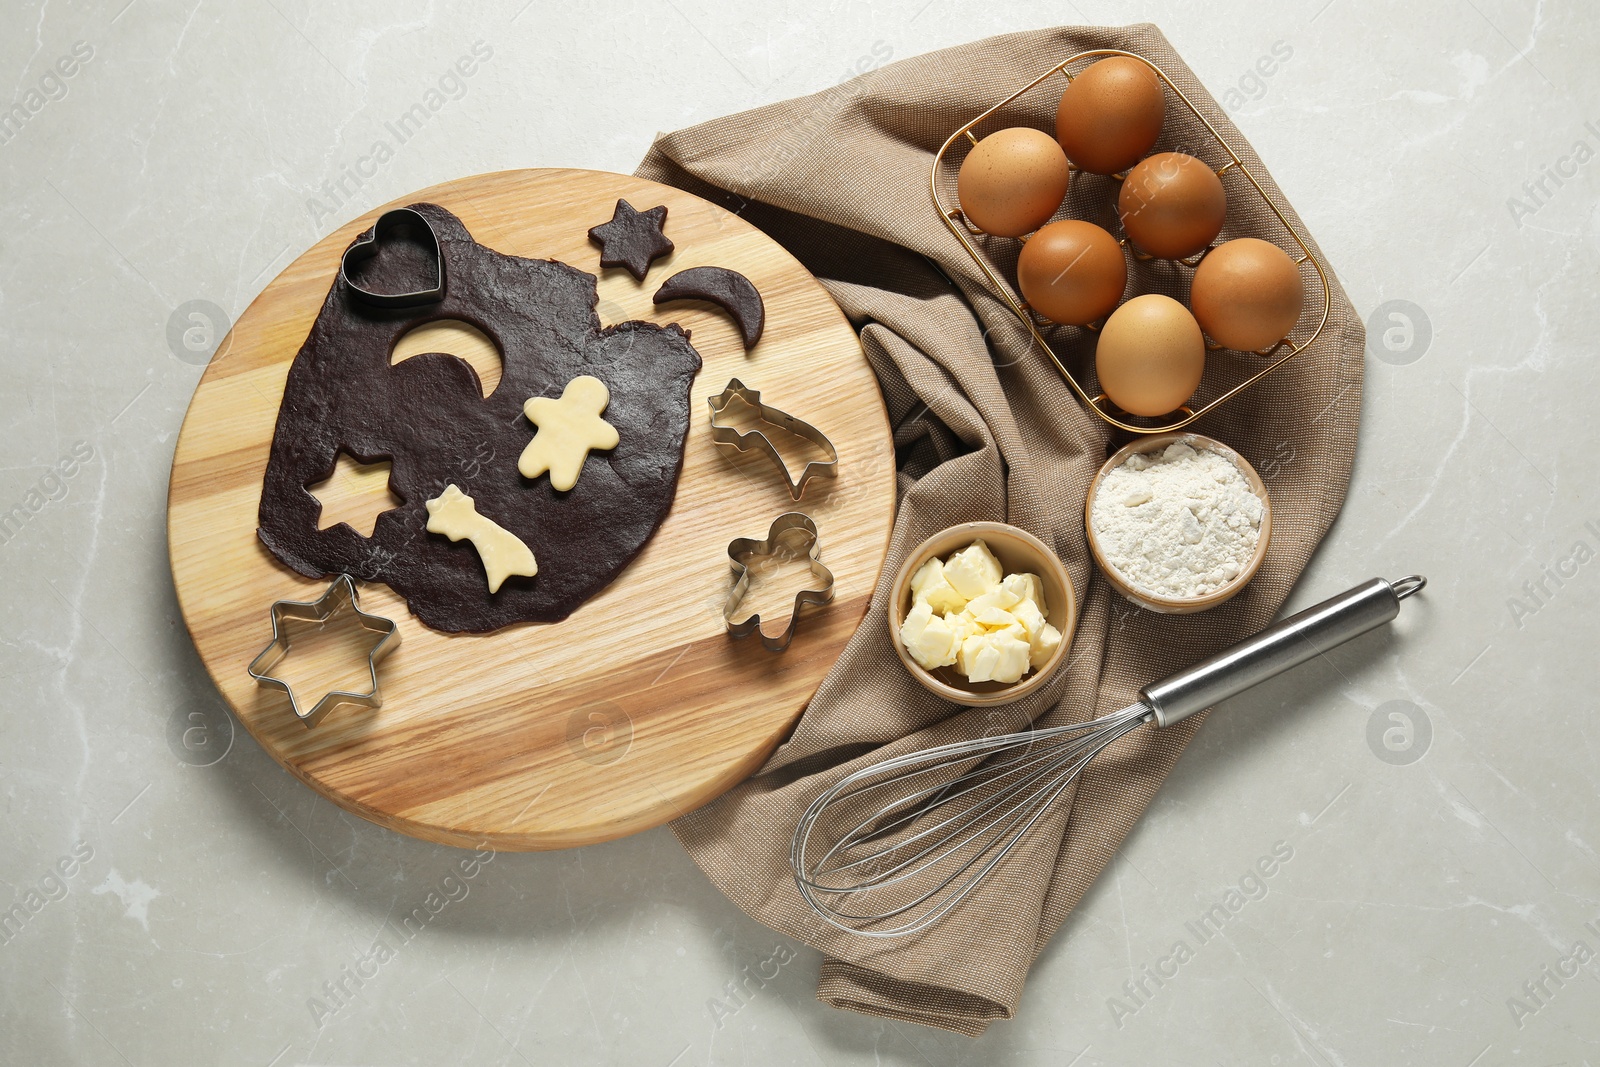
(1073,273)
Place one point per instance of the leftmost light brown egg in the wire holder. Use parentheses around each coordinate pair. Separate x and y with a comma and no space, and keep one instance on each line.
(1014,182)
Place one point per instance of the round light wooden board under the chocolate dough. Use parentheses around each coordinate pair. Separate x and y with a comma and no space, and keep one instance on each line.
(636,709)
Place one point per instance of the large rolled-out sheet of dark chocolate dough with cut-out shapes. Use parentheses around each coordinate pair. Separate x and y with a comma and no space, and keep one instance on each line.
(430,418)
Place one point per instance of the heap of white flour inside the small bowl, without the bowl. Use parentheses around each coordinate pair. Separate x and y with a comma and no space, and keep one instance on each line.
(1180,522)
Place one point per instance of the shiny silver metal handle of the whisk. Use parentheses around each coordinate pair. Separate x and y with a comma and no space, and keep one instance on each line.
(1289,644)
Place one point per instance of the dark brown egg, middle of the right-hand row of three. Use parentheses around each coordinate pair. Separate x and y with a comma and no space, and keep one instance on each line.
(1172,206)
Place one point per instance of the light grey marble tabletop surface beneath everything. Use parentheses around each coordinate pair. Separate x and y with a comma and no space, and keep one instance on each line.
(1426,799)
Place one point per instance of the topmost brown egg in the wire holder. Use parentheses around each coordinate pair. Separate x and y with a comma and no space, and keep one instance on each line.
(1111,116)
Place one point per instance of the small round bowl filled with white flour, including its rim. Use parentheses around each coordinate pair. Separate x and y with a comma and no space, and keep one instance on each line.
(1178,522)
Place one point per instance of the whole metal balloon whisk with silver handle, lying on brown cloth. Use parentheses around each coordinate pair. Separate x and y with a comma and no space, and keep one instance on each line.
(897,845)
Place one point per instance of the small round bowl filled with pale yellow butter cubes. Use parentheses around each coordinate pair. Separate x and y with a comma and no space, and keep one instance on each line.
(982,613)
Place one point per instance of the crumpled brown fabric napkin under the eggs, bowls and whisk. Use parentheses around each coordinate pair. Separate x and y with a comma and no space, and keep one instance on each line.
(986,430)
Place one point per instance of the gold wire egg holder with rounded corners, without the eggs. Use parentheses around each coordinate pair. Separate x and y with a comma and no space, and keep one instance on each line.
(1279,354)
